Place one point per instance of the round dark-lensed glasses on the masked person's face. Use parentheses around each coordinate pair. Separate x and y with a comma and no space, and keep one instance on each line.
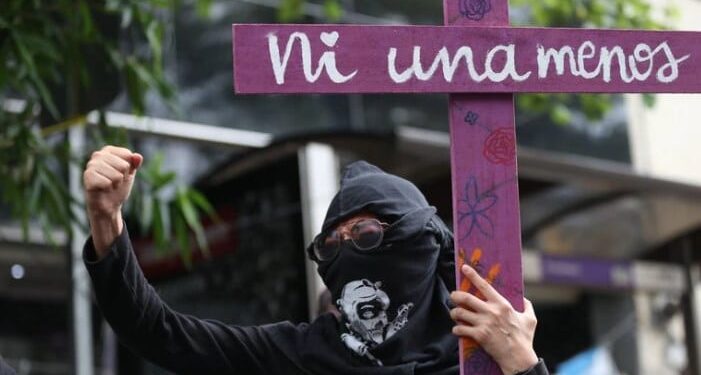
(365,235)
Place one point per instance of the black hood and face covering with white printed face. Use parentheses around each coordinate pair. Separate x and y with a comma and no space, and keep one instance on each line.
(392,299)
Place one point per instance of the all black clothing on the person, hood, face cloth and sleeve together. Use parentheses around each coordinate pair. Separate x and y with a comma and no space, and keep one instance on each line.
(406,268)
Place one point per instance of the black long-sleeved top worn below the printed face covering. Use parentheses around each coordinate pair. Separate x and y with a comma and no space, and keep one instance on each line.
(188,345)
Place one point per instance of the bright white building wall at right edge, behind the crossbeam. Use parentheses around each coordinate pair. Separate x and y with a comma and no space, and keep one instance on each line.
(666,140)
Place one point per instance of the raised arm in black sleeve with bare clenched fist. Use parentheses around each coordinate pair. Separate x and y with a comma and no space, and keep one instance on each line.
(142,321)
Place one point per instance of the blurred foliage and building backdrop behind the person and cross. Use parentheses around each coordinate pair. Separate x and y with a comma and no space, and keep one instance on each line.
(236,186)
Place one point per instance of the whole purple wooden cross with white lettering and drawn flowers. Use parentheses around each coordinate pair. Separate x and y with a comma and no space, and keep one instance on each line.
(481,62)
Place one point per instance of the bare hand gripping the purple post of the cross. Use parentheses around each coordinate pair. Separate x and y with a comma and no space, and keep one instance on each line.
(504,333)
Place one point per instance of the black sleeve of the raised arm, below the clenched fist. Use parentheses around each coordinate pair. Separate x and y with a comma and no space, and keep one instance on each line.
(180,343)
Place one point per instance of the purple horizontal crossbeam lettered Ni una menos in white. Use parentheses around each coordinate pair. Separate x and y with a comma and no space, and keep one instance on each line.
(381,59)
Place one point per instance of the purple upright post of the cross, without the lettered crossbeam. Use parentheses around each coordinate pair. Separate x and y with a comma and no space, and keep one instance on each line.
(477,124)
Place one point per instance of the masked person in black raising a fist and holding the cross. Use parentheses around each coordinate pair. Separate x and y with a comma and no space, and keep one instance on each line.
(385,257)
